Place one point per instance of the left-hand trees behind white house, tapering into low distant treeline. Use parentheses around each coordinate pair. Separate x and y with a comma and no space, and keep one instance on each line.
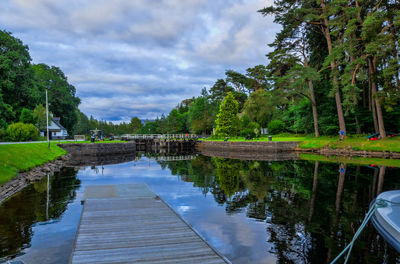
(23,102)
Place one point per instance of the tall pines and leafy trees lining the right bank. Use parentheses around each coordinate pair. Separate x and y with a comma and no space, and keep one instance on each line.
(334,66)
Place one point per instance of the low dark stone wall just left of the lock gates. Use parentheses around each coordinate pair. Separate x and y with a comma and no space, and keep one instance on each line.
(99,149)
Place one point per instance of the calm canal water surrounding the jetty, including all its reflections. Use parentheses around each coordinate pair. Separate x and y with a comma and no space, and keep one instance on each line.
(252,211)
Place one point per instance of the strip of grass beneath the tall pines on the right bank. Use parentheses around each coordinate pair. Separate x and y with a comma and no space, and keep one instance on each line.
(359,142)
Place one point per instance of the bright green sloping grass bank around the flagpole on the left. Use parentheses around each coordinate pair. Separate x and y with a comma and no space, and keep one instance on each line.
(16,158)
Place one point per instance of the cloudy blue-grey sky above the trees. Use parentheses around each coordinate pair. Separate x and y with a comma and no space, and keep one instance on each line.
(140,57)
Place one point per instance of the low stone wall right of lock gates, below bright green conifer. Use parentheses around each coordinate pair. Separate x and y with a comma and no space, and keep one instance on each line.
(249,146)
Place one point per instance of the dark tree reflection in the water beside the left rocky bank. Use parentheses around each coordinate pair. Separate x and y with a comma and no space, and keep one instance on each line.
(36,203)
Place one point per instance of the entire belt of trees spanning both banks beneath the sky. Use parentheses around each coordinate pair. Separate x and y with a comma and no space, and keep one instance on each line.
(334,66)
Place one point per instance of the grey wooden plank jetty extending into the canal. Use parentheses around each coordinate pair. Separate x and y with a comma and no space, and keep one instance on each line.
(131,224)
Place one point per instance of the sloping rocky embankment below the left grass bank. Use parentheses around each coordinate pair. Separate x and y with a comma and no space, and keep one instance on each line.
(23,179)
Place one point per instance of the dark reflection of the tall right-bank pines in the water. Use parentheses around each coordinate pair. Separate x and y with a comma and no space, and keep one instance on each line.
(311,209)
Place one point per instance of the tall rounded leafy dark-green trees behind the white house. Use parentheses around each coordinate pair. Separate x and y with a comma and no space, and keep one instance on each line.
(23,86)
